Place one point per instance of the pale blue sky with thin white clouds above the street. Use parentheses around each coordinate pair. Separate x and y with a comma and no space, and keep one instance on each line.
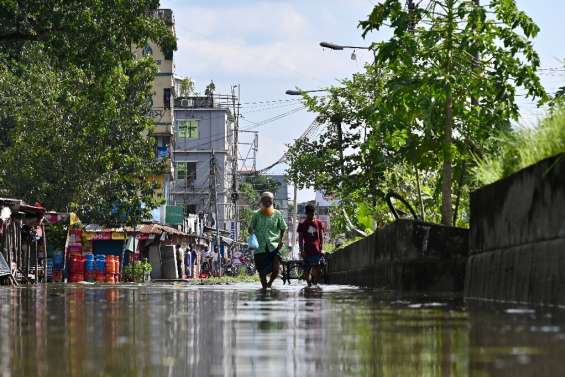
(270,46)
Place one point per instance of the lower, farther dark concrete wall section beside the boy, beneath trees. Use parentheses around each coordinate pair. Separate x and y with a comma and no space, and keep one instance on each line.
(406,255)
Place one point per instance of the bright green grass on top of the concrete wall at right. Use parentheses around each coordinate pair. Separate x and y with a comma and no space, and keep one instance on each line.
(524,147)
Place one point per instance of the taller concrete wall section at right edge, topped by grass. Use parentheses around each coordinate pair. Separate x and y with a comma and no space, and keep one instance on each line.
(517,237)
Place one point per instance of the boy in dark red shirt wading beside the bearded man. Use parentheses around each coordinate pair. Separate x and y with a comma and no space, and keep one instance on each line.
(310,239)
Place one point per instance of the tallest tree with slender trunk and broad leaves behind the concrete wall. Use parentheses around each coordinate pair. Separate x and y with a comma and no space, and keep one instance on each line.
(432,58)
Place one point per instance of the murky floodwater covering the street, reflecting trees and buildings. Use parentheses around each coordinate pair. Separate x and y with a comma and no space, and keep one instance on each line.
(177,330)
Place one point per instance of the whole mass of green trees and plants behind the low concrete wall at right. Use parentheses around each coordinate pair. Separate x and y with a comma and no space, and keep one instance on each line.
(440,90)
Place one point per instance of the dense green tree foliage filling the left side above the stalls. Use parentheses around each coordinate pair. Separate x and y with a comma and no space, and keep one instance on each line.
(73,108)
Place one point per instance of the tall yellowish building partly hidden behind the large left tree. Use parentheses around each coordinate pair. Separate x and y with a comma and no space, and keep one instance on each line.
(162,110)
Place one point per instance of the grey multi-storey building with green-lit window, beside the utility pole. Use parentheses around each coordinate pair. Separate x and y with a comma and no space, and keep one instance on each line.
(203,137)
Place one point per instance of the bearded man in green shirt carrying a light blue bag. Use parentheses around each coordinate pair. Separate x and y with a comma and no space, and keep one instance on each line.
(269,226)
